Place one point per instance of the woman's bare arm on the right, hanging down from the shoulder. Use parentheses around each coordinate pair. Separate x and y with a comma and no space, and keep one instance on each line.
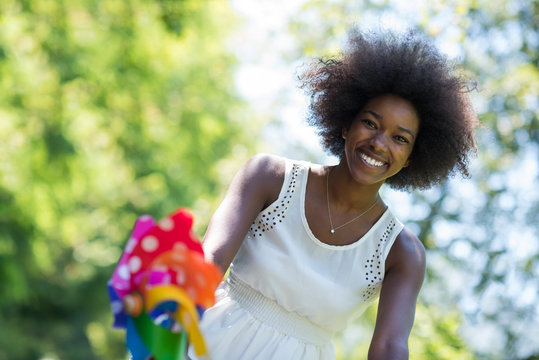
(405,271)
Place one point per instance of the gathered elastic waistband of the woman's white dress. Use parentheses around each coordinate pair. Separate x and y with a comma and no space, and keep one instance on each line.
(274,315)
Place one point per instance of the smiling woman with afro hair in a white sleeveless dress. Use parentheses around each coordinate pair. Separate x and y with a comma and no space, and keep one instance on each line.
(309,245)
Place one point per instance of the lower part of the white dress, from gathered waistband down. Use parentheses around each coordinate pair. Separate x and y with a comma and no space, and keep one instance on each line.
(246,325)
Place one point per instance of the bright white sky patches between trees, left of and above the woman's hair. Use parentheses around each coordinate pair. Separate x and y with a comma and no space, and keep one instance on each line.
(268,82)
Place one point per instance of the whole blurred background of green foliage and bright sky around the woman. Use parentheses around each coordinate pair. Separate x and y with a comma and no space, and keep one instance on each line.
(110,109)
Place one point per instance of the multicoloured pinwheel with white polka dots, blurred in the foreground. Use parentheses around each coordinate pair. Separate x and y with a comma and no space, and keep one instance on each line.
(161,287)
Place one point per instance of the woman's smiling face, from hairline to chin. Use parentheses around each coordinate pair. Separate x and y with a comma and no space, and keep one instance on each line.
(380,140)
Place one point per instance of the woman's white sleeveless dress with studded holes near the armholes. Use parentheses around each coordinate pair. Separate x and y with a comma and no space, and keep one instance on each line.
(287,292)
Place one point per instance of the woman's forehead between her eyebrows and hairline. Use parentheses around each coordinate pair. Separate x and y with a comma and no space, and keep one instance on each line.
(393,109)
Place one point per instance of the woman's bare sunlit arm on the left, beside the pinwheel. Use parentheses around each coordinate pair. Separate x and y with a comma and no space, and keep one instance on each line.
(254,188)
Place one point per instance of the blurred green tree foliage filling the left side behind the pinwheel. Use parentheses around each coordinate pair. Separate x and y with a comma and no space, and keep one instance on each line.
(108,110)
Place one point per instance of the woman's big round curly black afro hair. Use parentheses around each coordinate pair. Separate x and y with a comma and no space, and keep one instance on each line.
(410,66)
